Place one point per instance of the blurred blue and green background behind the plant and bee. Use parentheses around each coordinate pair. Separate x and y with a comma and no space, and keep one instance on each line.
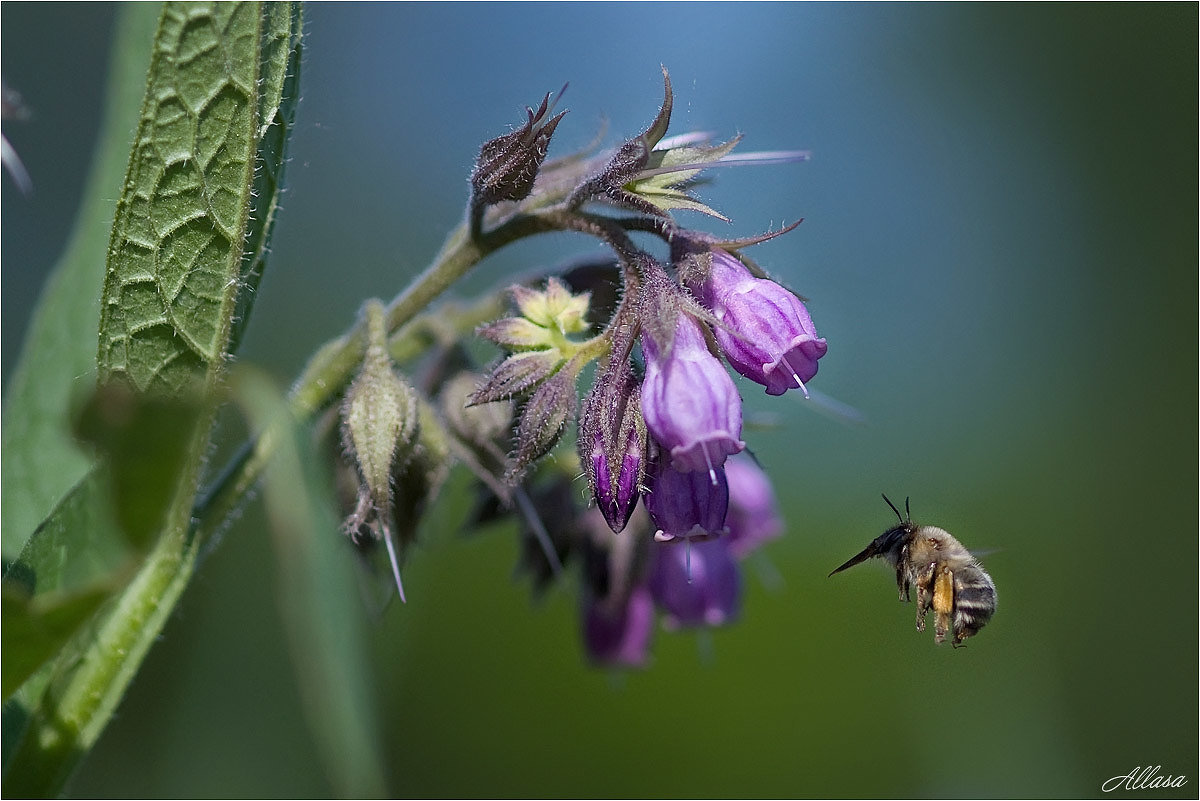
(1000,245)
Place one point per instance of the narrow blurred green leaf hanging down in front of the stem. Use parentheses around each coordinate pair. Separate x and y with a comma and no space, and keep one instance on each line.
(319,595)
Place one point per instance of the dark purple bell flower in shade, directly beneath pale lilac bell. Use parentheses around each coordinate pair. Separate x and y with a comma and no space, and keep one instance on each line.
(687,505)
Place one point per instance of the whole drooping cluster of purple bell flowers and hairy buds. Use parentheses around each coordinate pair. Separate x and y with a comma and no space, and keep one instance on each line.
(661,432)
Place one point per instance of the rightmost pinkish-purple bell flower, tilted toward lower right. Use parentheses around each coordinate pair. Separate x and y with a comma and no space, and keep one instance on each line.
(770,336)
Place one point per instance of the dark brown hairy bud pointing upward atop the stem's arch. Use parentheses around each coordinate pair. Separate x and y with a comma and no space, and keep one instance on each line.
(508,166)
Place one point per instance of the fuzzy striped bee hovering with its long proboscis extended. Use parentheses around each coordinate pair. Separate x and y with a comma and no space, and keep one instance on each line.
(950,581)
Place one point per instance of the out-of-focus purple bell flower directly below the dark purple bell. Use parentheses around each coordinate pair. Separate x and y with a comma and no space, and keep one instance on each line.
(697,585)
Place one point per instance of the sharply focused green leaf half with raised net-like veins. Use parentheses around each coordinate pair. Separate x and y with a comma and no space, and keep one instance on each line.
(176,254)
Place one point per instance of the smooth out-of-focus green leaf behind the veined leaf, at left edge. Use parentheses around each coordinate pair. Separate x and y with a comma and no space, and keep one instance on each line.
(41,461)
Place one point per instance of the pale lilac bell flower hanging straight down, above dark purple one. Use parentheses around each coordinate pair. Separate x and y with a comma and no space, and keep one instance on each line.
(691,405)
